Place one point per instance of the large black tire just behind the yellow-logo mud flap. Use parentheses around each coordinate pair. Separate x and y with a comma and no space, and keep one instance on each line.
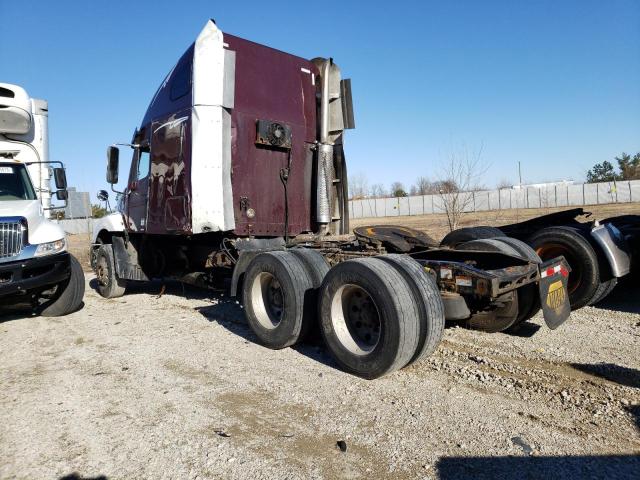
(578,253)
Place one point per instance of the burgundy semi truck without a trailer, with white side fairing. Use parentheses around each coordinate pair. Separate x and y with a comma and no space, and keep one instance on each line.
(238,172)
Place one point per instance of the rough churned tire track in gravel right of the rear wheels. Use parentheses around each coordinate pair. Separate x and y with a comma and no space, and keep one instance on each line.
(571,400)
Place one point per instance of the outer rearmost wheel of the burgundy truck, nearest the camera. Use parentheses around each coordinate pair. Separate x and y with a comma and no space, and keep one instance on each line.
(368,317)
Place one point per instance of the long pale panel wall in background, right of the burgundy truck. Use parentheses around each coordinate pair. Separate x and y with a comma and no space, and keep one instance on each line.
(504,199)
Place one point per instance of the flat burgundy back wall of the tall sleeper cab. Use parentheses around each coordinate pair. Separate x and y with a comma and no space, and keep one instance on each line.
(270,85)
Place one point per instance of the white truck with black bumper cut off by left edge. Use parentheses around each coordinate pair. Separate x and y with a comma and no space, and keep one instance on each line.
(35,267)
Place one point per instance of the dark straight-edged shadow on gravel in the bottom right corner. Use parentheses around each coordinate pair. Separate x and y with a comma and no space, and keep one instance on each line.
(518,468)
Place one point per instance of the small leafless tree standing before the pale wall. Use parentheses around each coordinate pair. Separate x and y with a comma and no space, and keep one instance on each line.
(457,183)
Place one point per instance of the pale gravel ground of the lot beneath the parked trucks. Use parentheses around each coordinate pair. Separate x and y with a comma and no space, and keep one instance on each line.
(174,386)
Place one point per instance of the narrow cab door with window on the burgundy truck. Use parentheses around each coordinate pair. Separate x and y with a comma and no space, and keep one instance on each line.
(138,193)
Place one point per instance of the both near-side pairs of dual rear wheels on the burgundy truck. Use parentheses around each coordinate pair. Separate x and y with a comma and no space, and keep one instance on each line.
(376,315)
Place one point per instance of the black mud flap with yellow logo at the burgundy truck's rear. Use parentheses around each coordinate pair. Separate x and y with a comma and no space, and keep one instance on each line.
(554,296)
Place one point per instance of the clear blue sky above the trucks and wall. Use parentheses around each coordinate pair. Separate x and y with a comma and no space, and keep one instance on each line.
(553,84)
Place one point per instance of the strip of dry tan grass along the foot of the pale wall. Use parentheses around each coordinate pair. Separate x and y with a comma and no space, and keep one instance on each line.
(436,224)
